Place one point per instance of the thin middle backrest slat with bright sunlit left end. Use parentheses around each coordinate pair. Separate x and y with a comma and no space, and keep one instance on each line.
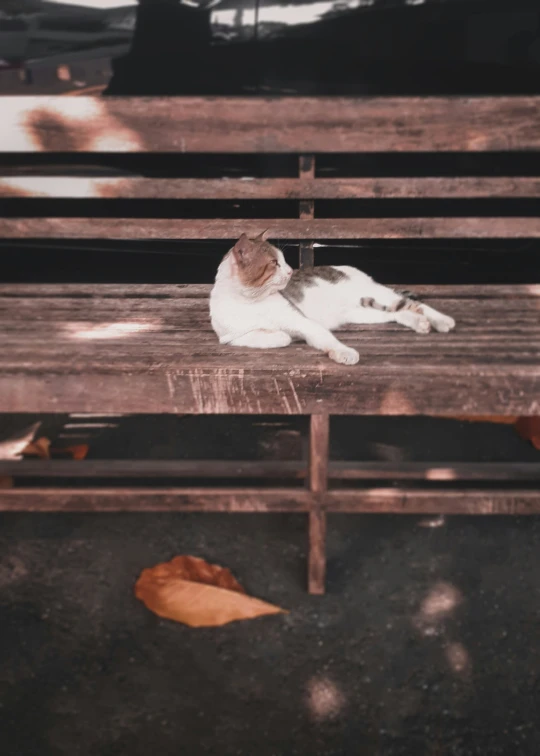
(249,188)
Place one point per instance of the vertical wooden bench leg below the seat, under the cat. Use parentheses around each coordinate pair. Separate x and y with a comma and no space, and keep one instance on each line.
(318,484)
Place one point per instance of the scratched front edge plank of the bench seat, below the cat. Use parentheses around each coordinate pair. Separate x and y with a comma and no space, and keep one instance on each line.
(368,390)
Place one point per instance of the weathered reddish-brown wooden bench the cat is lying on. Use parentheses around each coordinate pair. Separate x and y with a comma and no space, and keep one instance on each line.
(150,348)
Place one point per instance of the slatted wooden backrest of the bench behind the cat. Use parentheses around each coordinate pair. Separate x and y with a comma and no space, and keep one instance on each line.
(303,127)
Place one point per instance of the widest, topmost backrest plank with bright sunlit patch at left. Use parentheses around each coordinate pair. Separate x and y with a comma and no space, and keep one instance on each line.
(214,124)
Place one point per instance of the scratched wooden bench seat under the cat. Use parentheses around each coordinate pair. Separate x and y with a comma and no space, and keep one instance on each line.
(99,348)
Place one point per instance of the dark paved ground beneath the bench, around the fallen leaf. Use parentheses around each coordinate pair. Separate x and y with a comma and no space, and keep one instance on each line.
(425,645)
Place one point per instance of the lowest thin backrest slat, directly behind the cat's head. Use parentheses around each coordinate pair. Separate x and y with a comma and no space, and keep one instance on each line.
(290,228)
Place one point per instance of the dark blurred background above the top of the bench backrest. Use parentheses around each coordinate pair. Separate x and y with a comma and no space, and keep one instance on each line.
(282,47)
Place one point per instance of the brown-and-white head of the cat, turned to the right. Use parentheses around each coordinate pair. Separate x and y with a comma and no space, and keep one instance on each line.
(259,267)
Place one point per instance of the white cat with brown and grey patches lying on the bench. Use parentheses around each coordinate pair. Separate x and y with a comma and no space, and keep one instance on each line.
(258,301)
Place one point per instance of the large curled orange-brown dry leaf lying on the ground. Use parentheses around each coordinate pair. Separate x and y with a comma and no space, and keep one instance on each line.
(189,590)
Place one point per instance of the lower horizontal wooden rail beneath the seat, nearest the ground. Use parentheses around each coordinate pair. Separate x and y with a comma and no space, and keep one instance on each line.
(514,501)
